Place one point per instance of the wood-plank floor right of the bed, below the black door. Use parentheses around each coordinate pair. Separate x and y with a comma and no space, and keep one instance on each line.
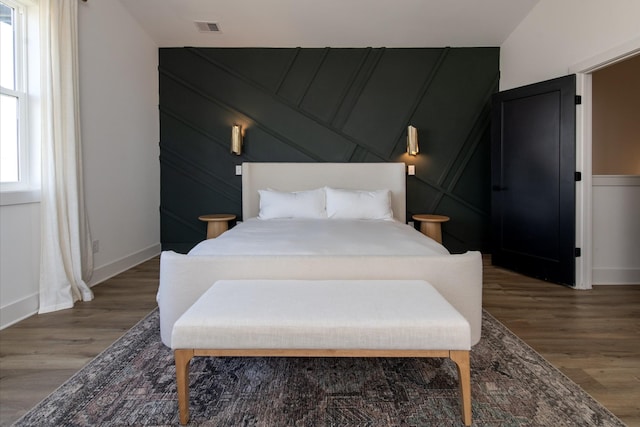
(592,336)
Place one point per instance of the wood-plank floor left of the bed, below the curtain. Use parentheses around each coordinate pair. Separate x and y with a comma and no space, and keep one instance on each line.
(39,353)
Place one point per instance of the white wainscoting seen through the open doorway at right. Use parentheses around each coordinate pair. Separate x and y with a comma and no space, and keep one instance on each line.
(616,229)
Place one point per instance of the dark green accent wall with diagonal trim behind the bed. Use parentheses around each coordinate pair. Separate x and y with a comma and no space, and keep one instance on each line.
(326,105)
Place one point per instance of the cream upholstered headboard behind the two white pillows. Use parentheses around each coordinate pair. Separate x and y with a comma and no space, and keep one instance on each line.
(308,176)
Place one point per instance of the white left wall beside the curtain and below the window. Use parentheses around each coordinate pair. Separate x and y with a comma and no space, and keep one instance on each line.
(120,133)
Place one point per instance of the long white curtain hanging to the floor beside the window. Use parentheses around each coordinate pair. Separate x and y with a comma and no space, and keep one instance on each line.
(66,258)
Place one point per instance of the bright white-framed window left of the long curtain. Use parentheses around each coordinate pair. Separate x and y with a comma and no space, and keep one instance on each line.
(18,85)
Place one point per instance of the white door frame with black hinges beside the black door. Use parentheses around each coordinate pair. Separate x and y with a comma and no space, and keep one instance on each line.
(584,205)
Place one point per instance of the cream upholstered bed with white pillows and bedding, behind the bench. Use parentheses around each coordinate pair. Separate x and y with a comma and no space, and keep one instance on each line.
(376,243)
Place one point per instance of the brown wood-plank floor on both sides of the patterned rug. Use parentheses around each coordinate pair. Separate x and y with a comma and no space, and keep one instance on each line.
(593,336)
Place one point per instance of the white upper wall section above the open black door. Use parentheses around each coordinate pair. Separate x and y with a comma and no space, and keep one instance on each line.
(559,34)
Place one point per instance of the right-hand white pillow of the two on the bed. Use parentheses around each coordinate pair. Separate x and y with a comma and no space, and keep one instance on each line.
(356,204)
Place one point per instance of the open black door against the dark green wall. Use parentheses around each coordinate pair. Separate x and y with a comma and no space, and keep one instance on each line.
(533,159)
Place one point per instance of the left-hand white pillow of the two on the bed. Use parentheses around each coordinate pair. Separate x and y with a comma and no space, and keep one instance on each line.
(299,204)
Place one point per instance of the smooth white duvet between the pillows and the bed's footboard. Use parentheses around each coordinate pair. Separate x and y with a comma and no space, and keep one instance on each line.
(320,237)
